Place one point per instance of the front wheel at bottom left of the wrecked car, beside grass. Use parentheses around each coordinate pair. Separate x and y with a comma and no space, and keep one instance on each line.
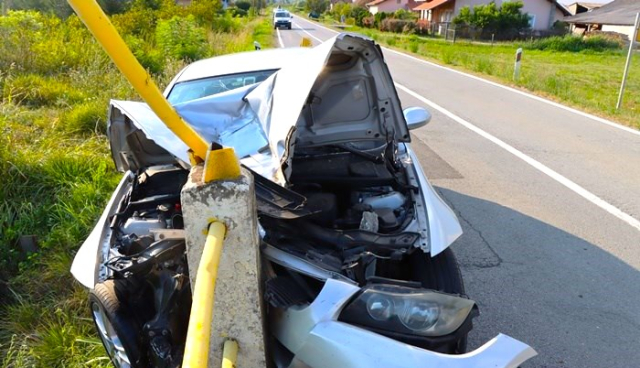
(116,329)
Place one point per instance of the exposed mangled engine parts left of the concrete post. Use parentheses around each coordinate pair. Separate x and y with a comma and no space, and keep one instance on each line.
(147,263)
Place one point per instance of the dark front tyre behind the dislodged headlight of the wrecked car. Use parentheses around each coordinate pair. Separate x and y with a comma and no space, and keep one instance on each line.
(440,273)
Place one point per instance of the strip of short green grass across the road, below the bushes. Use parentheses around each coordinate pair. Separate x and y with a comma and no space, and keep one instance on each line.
(588,80)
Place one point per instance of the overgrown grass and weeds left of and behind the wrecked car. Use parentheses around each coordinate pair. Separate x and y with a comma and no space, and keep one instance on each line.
(57,174)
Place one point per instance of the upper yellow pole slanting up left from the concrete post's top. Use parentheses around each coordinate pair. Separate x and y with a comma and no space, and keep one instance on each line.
(100,26)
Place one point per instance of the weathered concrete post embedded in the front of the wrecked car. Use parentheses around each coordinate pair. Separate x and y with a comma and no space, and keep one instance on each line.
(238,308)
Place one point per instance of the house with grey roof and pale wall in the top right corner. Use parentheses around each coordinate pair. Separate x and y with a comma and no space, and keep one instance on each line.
(617,16)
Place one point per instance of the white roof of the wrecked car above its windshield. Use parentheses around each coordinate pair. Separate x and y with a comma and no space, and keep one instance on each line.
(238,63)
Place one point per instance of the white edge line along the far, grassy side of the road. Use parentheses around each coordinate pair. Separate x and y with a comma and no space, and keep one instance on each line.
(534,97)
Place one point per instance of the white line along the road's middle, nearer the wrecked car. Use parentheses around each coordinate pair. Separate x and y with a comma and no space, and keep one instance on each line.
(531,161)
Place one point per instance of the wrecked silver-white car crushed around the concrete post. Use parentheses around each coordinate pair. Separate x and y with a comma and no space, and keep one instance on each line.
(355,240)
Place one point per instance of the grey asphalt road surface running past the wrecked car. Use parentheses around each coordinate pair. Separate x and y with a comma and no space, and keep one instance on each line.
(549,200)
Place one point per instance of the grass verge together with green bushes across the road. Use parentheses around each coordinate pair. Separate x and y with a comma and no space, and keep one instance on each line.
(583,72)
